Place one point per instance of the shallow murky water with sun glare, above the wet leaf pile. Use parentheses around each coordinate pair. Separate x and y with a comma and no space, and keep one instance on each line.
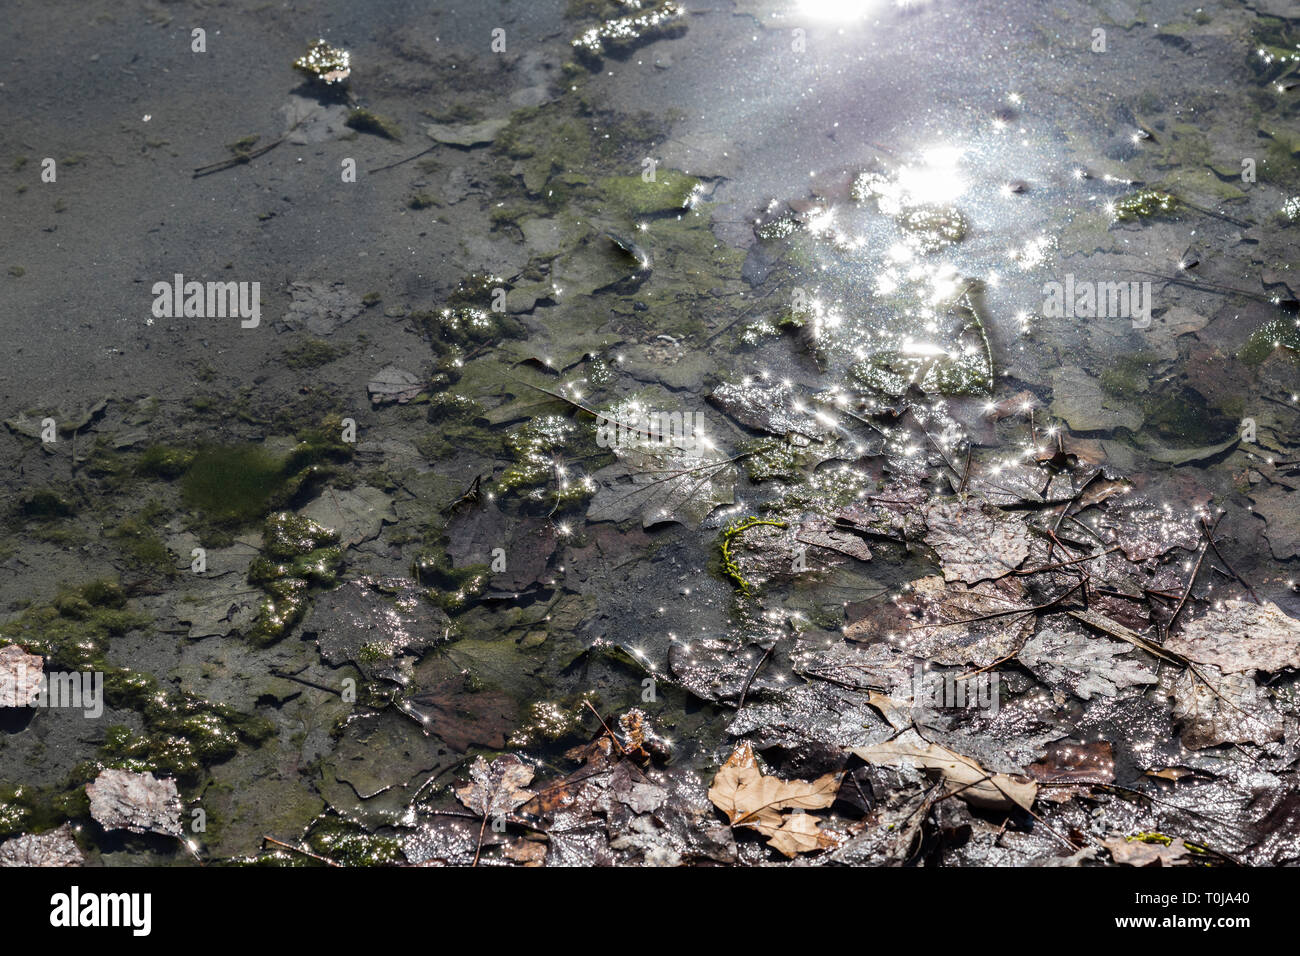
(857,207)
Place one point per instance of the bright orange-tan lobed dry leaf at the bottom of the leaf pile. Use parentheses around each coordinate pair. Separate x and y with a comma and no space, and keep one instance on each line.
(752,799)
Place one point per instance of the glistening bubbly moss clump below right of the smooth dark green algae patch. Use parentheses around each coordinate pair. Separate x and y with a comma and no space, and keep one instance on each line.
(297,555)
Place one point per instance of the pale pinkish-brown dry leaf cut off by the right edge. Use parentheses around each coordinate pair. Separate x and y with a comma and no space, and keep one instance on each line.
(1241,638)
